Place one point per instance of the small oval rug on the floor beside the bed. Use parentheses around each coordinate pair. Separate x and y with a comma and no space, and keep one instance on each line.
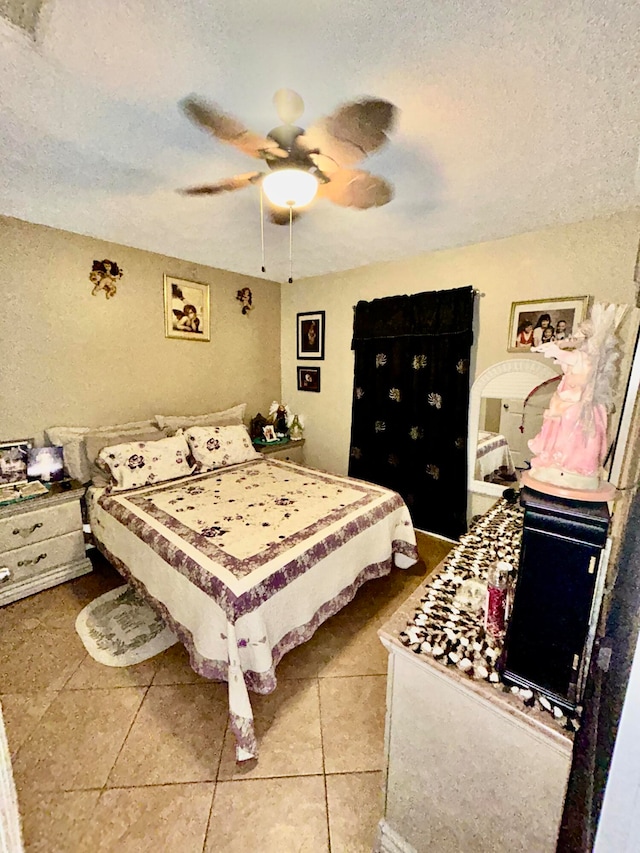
(120,629)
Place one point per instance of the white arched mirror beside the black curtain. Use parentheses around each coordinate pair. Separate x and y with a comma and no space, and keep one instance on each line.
(503,415)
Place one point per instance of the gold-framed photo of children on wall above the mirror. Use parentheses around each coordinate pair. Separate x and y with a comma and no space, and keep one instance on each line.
(539,321)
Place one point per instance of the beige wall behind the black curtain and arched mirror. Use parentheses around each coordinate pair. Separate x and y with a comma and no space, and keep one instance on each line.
(593,258)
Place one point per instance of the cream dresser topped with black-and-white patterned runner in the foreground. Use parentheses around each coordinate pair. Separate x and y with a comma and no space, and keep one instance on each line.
(471,763)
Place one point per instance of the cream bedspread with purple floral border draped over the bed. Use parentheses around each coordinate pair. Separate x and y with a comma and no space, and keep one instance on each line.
(245,562)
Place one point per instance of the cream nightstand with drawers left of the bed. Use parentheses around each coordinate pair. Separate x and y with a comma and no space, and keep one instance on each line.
(41,543)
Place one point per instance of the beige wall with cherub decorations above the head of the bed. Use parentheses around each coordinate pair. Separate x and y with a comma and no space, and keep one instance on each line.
(67,357)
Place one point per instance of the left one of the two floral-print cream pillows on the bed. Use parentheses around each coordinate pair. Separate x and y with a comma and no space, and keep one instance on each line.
(143,463)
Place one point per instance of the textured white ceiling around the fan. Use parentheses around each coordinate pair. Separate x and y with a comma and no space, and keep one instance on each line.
(513,116)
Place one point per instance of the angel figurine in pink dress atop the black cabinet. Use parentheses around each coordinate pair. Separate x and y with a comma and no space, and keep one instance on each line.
(572,444)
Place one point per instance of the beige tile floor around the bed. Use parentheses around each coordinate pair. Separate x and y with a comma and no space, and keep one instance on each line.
(140,758)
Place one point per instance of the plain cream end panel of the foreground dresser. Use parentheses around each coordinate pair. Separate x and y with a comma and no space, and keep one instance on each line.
(466,769)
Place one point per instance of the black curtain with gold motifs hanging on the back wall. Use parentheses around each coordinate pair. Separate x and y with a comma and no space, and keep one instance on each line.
(411,401)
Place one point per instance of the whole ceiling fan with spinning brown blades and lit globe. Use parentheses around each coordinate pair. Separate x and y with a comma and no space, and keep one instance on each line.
(319,159)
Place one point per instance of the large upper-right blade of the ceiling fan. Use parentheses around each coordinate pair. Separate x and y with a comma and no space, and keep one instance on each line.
(351,133)
